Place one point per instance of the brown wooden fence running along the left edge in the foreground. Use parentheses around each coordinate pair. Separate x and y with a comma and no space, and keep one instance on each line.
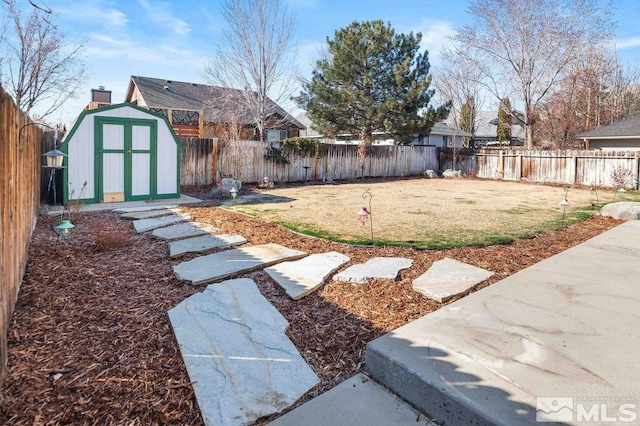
(20,160)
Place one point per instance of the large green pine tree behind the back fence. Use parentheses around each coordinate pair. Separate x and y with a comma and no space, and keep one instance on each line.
(371,80)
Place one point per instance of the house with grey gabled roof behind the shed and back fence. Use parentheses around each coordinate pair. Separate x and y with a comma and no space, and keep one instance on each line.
(203,111)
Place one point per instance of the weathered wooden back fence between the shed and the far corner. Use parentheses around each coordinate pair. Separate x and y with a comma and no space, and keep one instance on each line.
(207,160)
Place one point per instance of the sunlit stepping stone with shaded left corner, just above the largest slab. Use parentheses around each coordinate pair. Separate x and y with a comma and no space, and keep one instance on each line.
(300,278)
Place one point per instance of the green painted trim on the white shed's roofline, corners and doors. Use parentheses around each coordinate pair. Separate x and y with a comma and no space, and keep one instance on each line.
(98,166)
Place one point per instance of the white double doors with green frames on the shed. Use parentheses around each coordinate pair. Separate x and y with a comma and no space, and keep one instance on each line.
(126,159)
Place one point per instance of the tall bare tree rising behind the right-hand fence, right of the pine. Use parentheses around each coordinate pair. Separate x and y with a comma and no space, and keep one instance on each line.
(523,48)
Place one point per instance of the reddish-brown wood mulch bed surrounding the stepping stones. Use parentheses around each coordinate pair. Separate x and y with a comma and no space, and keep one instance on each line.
(91,342)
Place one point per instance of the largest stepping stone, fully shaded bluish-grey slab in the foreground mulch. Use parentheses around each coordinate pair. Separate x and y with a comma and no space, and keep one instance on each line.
(237,354)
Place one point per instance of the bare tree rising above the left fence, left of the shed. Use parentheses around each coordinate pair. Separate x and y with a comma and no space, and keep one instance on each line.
(42,69)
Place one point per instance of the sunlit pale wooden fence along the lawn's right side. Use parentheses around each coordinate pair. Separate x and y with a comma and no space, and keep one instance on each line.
(561,166)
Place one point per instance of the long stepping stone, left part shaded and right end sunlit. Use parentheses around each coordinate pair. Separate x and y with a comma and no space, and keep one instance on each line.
(217,266)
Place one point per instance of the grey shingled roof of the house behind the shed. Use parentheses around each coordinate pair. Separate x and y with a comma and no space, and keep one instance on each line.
(213,101)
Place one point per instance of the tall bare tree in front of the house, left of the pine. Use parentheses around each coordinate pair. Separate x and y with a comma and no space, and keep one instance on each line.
(254,56)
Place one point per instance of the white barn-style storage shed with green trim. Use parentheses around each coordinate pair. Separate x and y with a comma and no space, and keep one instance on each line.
(121,153)
